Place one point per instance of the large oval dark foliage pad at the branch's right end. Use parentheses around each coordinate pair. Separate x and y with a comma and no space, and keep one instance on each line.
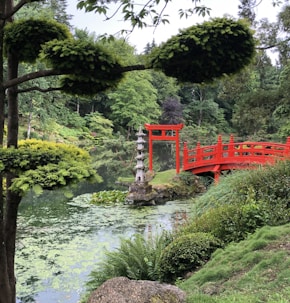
(206,51)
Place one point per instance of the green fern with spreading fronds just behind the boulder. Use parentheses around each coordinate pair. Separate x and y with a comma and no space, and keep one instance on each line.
(137,258)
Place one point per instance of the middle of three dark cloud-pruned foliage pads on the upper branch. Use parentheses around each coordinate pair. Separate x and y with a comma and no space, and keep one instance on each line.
(92,67)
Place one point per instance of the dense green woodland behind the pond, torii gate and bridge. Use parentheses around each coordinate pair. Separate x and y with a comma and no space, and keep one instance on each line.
(253,104)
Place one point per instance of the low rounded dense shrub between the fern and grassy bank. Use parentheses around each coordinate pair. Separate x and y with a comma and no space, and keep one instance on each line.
(186,253)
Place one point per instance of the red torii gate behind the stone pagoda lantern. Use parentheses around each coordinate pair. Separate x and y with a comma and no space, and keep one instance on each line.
(164,137)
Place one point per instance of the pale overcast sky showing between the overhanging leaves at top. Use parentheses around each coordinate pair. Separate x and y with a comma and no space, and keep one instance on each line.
(139,38)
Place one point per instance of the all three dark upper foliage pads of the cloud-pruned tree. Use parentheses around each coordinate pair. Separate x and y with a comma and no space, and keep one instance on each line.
(198,54)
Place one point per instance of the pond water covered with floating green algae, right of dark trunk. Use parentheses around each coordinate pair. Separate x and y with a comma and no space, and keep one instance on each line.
(60,242)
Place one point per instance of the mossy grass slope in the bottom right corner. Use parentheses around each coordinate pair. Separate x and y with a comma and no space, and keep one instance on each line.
(254,270)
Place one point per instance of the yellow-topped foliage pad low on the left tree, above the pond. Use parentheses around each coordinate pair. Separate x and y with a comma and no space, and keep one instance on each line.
(45,165)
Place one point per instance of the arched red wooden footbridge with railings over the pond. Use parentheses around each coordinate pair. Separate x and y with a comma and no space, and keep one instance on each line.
(232,155)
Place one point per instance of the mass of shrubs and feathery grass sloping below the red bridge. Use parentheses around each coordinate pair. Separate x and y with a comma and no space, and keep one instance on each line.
(243,202)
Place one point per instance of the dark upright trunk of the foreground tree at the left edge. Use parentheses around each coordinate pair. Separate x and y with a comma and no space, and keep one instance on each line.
(8,223)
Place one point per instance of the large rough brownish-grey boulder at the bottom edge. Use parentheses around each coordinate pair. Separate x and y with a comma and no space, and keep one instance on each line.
(124,290)
